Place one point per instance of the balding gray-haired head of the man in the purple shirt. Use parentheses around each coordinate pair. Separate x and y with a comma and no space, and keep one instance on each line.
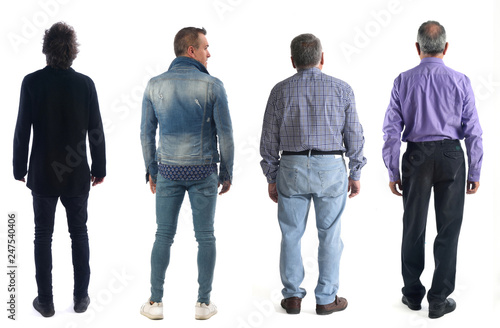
(431,38)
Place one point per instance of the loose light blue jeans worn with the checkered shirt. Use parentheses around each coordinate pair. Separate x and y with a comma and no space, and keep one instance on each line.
(323,179)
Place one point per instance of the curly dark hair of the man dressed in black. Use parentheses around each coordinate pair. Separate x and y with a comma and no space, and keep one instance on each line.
(60,46)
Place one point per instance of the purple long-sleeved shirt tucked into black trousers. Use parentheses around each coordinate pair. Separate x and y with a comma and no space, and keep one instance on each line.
(432,102)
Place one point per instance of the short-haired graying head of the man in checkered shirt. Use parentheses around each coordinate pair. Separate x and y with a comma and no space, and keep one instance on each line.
(306,51)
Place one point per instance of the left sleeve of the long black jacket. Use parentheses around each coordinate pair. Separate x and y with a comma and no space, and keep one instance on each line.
(22,133)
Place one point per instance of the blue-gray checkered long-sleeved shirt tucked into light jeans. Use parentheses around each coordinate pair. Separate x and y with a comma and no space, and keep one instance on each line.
(311,110)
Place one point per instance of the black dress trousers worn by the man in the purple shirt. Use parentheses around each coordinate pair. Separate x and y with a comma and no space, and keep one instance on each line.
(438,165)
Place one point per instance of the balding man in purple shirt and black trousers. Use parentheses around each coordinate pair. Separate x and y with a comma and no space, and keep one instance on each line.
(433,106)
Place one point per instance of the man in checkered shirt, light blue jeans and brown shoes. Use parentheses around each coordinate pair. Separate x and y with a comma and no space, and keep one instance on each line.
(311,119)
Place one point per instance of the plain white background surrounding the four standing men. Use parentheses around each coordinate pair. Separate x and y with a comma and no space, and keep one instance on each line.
(366,43)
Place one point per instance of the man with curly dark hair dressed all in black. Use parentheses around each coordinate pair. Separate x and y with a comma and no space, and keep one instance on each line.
(62,108)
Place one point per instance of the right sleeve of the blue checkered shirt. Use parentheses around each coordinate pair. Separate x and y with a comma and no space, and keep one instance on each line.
(353,138)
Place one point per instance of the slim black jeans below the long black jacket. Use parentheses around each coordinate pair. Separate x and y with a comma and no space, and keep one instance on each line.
(76,212)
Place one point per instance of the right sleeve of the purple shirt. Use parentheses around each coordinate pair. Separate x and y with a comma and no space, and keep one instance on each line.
(472,134)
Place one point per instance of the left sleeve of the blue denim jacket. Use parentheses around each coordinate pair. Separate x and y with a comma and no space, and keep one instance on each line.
(149,124)
